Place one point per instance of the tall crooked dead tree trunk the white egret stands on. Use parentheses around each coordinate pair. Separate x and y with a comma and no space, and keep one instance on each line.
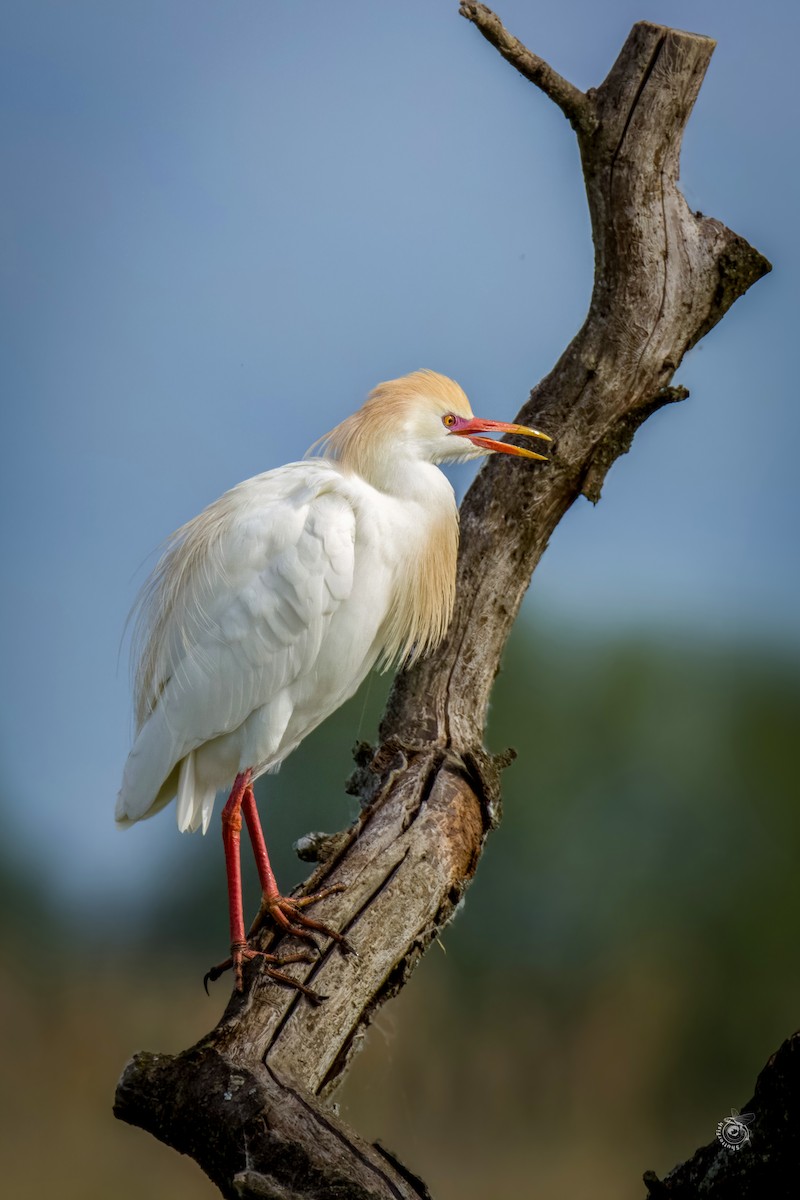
(664,277)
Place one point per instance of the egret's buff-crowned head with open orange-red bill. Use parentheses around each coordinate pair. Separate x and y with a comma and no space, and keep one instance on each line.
(424,417)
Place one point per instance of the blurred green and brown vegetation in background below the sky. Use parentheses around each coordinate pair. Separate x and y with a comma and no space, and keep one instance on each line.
(625,963)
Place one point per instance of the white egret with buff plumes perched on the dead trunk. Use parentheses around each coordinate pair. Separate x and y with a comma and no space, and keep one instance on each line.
(269,609)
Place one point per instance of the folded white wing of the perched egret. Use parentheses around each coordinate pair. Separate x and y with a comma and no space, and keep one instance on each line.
(236,614)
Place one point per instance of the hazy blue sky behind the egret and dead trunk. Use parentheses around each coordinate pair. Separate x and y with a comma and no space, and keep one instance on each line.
(222,224)
